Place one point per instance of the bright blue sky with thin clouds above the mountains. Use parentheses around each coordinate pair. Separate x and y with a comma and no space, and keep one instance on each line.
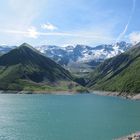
(69,22)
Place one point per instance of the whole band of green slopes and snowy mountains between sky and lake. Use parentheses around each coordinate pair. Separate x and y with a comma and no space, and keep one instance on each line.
(27,68)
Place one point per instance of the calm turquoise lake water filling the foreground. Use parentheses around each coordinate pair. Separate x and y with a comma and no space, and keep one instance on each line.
(67,117)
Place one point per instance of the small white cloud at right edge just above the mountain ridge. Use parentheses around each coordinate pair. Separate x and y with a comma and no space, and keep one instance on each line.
(134,37)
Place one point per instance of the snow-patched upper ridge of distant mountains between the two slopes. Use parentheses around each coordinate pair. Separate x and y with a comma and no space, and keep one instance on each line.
(83,53)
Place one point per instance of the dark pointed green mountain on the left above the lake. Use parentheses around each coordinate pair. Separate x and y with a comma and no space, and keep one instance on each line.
(24,68)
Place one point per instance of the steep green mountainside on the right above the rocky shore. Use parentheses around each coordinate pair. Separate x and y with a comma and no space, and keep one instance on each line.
(120,73)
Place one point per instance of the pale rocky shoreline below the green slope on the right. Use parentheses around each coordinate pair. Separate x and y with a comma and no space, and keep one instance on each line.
(123,95)
